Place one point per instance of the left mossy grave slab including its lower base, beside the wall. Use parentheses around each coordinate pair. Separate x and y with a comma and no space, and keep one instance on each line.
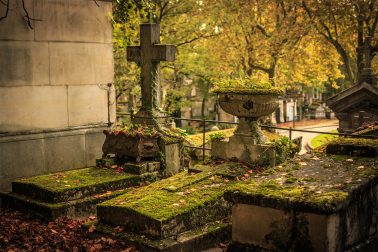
(70,193)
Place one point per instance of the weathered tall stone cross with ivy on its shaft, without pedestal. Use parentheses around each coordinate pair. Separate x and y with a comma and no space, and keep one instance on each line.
(148,55)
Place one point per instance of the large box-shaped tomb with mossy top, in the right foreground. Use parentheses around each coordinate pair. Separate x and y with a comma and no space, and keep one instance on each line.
(315,202)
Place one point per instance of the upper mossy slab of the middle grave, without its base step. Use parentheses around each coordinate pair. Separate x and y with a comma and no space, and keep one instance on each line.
(169,207)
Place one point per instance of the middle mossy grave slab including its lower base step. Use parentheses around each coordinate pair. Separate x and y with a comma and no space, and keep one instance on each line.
(186,212)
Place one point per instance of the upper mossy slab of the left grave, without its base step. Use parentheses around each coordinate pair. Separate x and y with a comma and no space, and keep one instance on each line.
(74,184)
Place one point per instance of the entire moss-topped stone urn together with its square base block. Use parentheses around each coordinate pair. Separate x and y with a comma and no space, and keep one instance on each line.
(248,100)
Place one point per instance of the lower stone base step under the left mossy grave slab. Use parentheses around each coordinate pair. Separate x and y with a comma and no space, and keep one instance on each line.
(73,208)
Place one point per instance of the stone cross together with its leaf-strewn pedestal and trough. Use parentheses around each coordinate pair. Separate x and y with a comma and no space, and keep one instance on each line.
(153,139)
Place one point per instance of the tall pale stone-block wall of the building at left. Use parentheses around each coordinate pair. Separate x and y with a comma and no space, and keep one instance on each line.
(54,94)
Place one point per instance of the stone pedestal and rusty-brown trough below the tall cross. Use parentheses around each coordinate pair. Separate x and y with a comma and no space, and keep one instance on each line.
(138,154)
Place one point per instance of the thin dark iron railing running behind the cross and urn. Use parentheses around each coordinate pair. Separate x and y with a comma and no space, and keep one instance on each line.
(290,130)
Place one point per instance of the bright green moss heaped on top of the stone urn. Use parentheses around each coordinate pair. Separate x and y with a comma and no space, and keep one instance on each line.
(246,86)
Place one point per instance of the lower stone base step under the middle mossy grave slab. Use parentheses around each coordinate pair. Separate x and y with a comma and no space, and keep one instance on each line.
(196,239)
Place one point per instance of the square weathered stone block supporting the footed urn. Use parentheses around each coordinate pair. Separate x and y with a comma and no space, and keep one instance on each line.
(244,149)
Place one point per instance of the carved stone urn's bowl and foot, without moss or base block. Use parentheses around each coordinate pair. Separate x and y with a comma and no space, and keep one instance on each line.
(249,108)
